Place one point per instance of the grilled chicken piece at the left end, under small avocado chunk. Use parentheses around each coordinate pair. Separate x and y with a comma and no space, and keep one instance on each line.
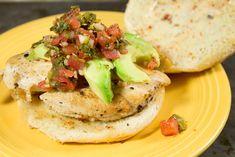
(20,75)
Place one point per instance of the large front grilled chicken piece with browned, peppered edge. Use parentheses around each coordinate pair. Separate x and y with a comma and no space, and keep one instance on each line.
(128,100)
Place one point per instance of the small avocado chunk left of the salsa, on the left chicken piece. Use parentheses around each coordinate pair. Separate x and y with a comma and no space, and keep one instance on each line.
(38,52)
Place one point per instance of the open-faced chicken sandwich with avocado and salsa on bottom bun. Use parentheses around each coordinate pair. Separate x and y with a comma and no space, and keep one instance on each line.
(87,83)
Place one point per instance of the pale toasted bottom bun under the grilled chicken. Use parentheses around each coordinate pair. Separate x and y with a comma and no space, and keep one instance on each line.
(64,129)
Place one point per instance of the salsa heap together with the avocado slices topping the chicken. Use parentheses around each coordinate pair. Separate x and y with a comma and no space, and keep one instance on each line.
(80,38)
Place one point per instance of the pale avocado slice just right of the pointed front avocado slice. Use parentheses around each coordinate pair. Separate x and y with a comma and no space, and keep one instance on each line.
(128,71)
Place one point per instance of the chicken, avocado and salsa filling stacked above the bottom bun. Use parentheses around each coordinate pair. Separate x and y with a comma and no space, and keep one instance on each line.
(87,70)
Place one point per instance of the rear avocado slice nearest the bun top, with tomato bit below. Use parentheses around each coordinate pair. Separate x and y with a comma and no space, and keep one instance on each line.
(141,50)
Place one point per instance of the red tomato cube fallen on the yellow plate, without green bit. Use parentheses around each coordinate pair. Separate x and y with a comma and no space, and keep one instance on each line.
(169,127)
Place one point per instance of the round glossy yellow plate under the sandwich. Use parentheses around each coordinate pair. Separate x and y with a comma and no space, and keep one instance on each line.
(203,99)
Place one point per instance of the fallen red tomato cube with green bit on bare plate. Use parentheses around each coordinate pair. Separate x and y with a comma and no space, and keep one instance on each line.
(173,126)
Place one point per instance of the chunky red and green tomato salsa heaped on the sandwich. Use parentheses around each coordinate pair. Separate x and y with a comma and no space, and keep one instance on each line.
(80,37)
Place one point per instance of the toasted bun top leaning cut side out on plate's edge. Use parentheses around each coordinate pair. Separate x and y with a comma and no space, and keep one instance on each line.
(189,35)
